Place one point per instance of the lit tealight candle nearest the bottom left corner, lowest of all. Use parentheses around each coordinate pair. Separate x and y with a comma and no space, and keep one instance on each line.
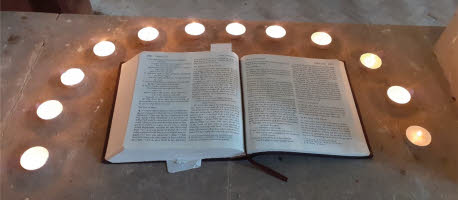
(34,158)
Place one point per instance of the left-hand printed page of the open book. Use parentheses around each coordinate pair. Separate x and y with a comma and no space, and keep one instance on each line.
(186,105)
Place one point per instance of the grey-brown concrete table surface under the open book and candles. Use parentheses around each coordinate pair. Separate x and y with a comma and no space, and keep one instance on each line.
(36,48)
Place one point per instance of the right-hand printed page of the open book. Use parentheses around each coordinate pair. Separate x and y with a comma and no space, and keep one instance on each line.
(300,105)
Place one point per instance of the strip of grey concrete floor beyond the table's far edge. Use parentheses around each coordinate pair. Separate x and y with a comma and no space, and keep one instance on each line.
(399,12)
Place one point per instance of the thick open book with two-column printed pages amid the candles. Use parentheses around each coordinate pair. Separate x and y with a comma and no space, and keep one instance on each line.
(195,106)
